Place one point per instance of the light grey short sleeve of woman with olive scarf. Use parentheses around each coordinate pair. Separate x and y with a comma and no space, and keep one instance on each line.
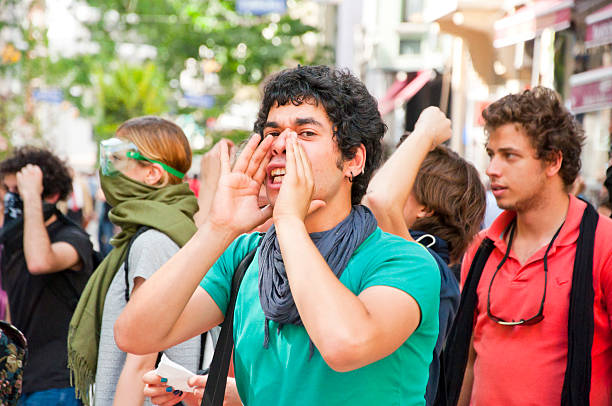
(149,252)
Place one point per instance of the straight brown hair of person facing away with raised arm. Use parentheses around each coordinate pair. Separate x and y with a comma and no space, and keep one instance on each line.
(451,188)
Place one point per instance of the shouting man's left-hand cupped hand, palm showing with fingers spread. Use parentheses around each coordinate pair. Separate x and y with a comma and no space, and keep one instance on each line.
(235,206)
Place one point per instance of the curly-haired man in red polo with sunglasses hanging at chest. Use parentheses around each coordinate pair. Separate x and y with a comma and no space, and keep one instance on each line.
(519,343)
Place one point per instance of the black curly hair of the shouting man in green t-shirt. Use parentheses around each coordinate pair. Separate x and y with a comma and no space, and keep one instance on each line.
(352,110)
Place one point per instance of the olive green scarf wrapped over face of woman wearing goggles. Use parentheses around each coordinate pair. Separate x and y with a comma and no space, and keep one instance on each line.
(169,209)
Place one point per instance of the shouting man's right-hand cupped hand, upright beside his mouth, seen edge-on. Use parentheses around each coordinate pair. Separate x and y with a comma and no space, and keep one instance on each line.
(295,196)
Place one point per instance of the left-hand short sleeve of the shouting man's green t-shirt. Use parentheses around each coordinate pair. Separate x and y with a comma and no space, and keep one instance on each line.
(218,280)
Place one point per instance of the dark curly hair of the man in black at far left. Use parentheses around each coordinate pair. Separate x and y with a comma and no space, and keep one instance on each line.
(56,176)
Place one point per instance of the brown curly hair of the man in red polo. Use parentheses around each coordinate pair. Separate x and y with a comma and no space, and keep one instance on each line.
(550,127)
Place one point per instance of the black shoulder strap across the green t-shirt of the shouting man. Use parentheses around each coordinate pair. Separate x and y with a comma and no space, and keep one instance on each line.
(217,377)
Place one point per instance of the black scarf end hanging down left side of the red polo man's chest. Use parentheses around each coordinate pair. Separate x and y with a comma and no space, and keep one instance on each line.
(456,352)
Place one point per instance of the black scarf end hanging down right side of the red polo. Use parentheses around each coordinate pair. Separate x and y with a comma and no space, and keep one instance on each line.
(581,324)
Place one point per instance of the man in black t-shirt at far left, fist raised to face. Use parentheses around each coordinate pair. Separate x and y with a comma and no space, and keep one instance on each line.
(46,261)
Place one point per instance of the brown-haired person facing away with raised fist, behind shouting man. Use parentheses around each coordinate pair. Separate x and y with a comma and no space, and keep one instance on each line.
(428,193)
